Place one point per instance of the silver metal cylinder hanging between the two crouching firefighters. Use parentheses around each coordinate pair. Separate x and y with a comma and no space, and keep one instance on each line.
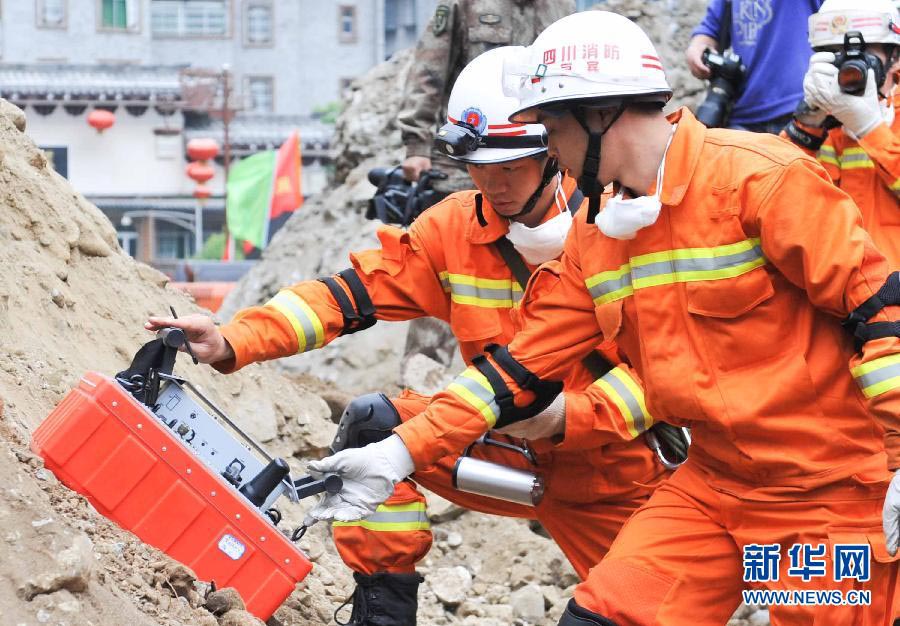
(497,481)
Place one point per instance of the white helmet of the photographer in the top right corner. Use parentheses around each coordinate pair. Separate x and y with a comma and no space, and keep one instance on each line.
(877,21)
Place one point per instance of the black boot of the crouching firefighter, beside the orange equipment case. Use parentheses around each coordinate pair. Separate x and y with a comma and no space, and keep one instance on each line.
(383,599)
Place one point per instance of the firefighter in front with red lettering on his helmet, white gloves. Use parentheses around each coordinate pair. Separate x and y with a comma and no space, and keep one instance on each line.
(728,270)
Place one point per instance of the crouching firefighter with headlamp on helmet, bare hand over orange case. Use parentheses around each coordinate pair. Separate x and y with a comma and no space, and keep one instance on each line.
(597,471)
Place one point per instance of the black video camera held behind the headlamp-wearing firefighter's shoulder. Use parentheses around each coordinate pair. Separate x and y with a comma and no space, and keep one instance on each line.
(398,201)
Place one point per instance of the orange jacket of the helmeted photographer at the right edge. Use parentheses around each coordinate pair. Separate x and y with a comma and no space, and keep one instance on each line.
(869,170)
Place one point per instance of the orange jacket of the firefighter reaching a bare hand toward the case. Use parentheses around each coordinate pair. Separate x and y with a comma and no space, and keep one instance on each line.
(445,267)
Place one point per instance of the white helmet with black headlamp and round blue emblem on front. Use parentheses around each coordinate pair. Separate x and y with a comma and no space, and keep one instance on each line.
(478,129)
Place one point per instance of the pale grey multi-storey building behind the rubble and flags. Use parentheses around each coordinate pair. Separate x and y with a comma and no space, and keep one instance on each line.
(161,67)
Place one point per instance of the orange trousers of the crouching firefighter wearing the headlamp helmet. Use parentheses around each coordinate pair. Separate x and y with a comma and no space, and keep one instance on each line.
(583,531)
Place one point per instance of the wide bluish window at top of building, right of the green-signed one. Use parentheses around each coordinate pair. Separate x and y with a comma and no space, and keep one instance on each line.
(189,18)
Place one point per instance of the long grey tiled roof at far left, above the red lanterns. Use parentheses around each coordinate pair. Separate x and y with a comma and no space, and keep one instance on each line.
(90,83)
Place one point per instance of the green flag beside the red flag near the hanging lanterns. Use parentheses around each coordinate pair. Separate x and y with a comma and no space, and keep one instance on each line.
(248,197)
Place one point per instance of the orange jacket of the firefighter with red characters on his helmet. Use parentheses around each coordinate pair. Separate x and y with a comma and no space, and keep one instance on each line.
(729,309)
